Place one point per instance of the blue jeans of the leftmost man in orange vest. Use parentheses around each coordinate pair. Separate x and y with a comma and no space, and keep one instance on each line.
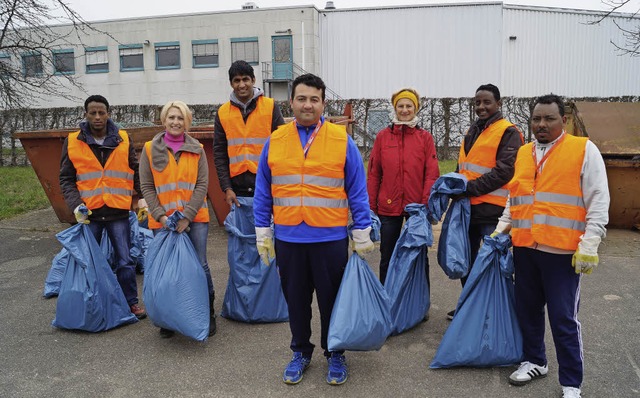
(124,267)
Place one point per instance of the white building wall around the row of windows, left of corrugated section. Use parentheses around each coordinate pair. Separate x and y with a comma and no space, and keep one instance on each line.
(192,85)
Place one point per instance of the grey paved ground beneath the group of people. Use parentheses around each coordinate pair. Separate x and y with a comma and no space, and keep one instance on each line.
(242,360)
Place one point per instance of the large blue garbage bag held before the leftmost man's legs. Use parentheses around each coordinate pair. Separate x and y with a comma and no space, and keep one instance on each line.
(90,297)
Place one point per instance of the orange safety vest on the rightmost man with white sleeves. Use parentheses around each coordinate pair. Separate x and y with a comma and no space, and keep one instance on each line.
(548,209)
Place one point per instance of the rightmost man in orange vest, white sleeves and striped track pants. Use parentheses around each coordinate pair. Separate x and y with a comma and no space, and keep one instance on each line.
(557,212)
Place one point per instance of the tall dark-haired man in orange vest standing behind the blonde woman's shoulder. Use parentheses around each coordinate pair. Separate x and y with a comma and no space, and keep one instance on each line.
(242,125)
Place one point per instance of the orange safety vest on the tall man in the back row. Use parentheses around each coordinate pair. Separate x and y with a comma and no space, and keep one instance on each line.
(245,140)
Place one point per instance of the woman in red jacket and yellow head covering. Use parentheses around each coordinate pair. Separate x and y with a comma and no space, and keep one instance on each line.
(402,168)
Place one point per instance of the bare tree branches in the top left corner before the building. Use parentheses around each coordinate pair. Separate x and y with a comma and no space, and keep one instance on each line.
(31,31)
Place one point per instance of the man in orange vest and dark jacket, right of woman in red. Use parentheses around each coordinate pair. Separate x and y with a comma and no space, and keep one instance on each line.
(487,155)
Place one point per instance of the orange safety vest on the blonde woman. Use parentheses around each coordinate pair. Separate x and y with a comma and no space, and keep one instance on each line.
(175,184)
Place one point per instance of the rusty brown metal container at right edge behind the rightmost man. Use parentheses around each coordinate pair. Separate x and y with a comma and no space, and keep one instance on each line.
(615,129)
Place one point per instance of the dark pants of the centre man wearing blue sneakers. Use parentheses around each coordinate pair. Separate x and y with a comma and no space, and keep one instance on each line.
(303,268)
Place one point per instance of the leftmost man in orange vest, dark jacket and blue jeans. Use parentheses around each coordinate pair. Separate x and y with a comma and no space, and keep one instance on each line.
(98,177)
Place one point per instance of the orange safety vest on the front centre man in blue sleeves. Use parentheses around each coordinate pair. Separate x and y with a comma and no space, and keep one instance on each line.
(309,189)
